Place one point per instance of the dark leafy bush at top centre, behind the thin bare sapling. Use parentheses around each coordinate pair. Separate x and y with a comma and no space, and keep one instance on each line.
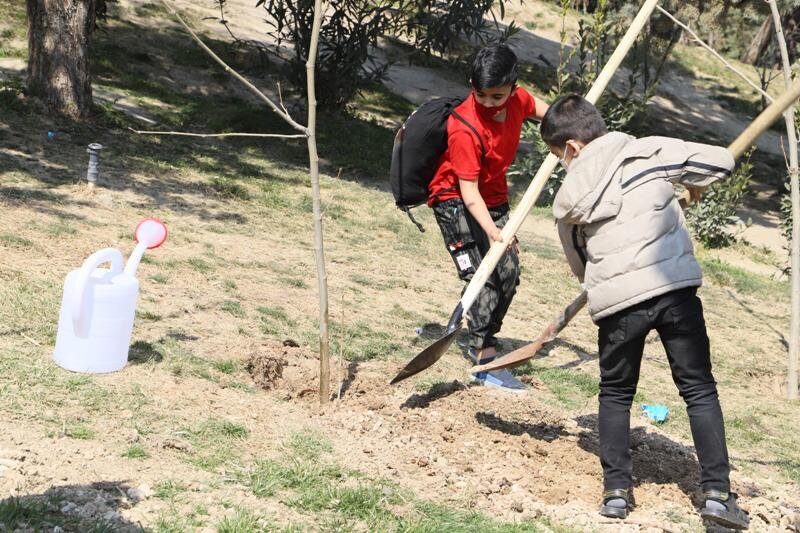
(350,32)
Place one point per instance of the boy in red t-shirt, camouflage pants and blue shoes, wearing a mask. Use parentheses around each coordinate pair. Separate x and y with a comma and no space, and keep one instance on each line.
(469,194)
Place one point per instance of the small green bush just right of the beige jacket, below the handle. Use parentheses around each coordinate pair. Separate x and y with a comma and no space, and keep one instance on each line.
(711,219)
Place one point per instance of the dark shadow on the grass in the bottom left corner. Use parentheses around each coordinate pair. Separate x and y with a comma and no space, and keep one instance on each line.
(73,508)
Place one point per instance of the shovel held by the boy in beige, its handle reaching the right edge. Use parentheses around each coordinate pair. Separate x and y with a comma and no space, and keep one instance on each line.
(737,148)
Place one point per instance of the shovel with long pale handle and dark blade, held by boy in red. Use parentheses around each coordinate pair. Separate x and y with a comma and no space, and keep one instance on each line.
(435,351)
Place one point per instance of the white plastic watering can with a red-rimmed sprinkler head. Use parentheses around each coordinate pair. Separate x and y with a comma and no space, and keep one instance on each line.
(97,310)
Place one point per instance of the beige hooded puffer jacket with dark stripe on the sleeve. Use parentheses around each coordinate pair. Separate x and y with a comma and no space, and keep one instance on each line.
(620,223)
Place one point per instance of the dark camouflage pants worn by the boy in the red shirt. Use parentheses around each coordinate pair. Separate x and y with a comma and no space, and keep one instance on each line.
(467,243)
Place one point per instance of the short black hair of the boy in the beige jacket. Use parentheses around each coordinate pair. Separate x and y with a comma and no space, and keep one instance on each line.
(572,117)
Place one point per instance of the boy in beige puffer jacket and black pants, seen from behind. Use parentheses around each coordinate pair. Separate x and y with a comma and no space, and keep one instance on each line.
(626,239)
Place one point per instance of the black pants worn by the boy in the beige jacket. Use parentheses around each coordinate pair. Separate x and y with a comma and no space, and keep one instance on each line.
(678,318)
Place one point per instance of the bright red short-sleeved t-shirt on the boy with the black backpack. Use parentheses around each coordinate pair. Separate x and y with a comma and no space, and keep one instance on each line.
(462,159)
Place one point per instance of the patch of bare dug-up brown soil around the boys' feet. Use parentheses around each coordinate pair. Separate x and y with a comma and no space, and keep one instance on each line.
(507,455)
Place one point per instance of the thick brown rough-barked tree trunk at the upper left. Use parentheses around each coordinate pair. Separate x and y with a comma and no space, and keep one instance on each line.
(58,54)
